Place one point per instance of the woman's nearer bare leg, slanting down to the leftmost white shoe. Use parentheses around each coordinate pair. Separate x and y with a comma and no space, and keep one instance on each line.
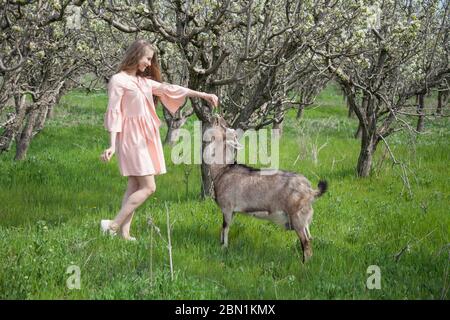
(146,188)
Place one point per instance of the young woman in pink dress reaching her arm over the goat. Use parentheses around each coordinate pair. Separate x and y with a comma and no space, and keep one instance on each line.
(133,124)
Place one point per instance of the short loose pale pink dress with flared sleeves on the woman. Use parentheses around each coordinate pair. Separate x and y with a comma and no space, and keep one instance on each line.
(131,113)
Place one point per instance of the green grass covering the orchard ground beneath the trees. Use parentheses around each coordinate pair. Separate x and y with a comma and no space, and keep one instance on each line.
(52,202)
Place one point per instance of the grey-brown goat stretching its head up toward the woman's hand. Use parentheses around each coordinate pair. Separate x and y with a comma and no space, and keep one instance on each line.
(282,197)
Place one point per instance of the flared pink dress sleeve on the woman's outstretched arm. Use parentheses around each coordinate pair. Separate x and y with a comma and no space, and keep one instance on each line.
(172,96)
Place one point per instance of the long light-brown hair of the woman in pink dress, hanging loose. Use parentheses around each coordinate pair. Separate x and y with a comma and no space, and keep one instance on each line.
(131,59)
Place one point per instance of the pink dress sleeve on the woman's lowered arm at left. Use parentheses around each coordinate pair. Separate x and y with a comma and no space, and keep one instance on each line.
(113,116)
